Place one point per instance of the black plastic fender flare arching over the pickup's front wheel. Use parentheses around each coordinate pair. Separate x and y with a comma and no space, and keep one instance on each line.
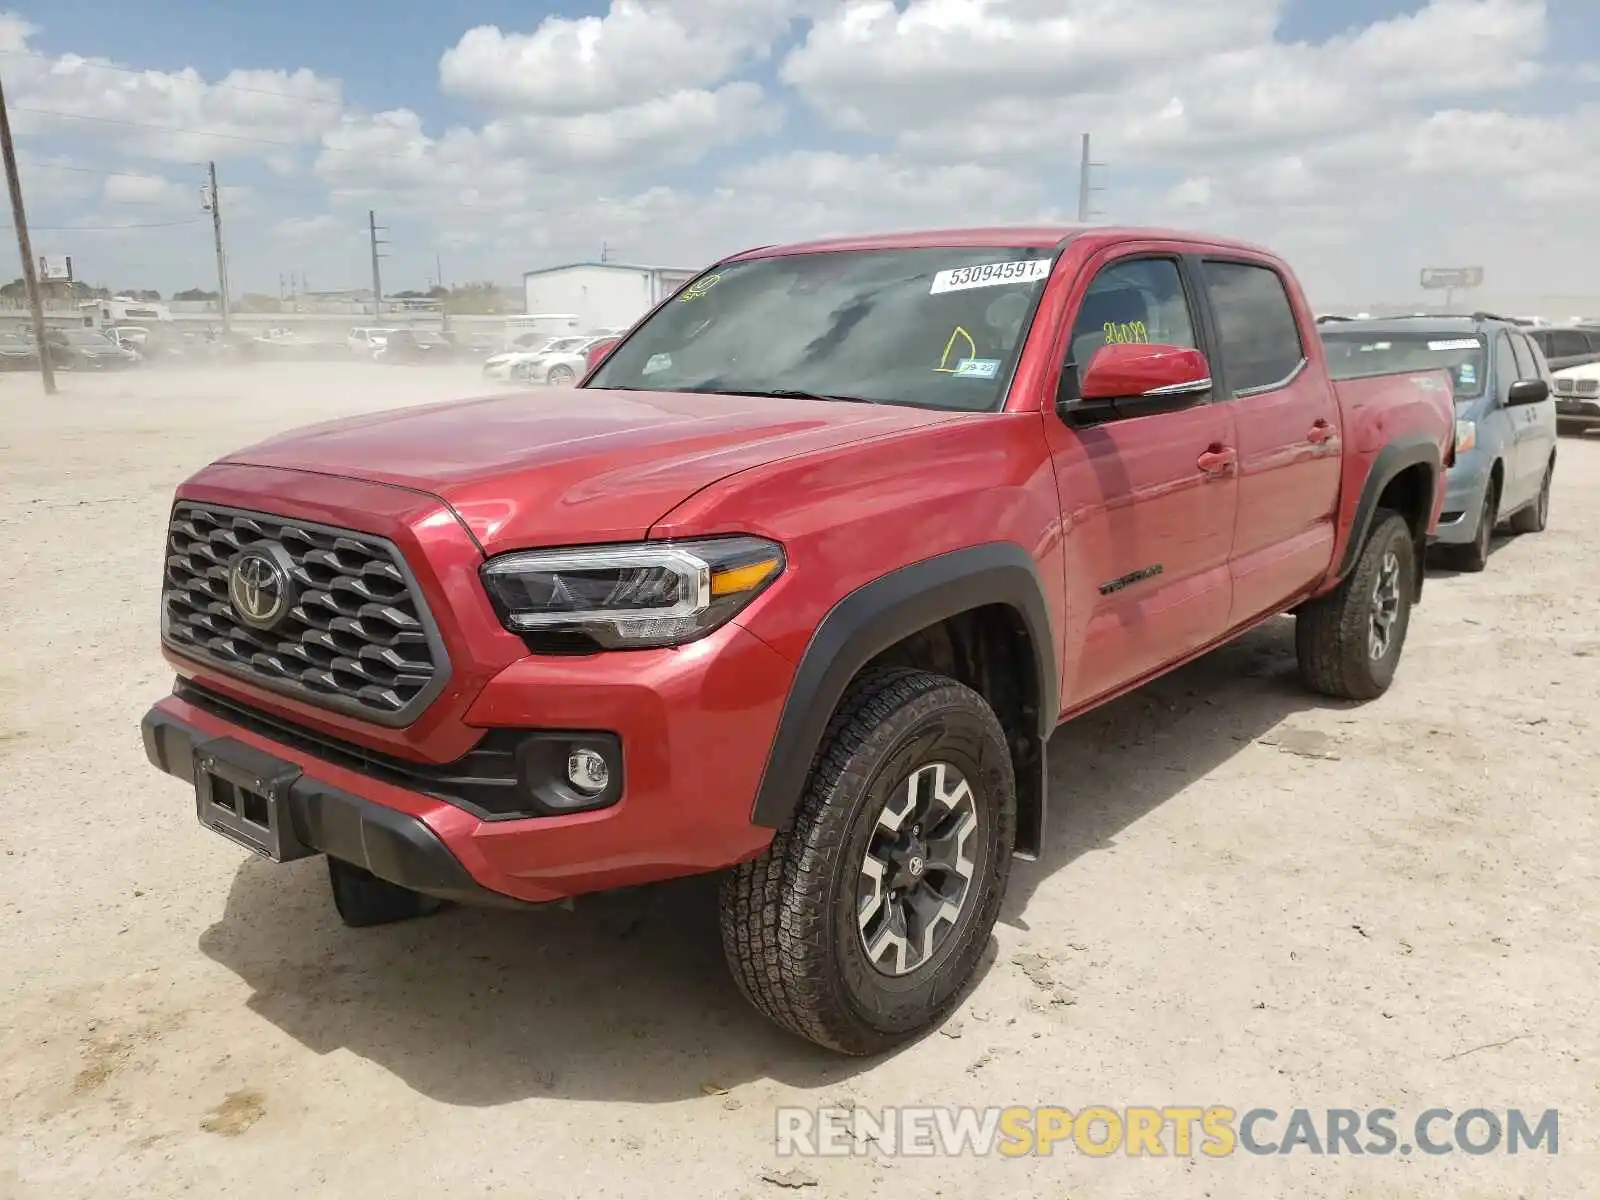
(876,617)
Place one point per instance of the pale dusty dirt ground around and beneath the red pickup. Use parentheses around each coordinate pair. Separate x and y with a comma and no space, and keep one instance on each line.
(1250,898)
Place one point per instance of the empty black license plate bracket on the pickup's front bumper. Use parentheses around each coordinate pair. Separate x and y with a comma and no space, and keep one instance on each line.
(244,794)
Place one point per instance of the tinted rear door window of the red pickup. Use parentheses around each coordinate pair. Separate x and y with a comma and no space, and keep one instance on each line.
(1260,338)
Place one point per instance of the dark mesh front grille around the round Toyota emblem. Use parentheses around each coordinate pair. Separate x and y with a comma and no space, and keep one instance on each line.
(354,636)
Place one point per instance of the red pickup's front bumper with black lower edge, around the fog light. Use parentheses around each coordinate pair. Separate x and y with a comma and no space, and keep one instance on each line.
(695,727)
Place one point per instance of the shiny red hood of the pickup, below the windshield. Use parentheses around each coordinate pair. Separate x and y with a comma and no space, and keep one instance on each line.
(572,466)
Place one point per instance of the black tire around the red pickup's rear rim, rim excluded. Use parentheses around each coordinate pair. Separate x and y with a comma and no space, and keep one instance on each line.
(1332,633)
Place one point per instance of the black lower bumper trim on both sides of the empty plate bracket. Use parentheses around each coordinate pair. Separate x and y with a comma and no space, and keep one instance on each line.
(393,846)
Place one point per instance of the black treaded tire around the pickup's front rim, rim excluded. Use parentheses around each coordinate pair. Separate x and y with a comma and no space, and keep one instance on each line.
(790,919)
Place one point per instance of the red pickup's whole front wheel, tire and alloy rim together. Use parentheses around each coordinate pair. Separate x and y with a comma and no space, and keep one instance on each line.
(860,927)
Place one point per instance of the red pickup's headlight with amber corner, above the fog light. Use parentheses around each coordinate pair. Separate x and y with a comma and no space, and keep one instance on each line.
(630,598)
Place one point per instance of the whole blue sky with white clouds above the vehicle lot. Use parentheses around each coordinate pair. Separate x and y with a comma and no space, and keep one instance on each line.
(1255,118)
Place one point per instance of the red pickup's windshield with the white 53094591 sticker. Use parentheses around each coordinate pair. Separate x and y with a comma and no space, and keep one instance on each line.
(937,329)
